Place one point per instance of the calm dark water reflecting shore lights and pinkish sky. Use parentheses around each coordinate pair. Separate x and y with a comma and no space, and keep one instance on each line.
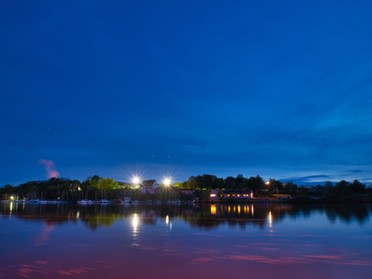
(217,241)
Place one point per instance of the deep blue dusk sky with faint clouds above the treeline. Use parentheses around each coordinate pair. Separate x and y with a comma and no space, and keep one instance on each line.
(282,89)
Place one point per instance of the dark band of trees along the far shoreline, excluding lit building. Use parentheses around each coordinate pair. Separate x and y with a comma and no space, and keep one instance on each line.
(196,187)
